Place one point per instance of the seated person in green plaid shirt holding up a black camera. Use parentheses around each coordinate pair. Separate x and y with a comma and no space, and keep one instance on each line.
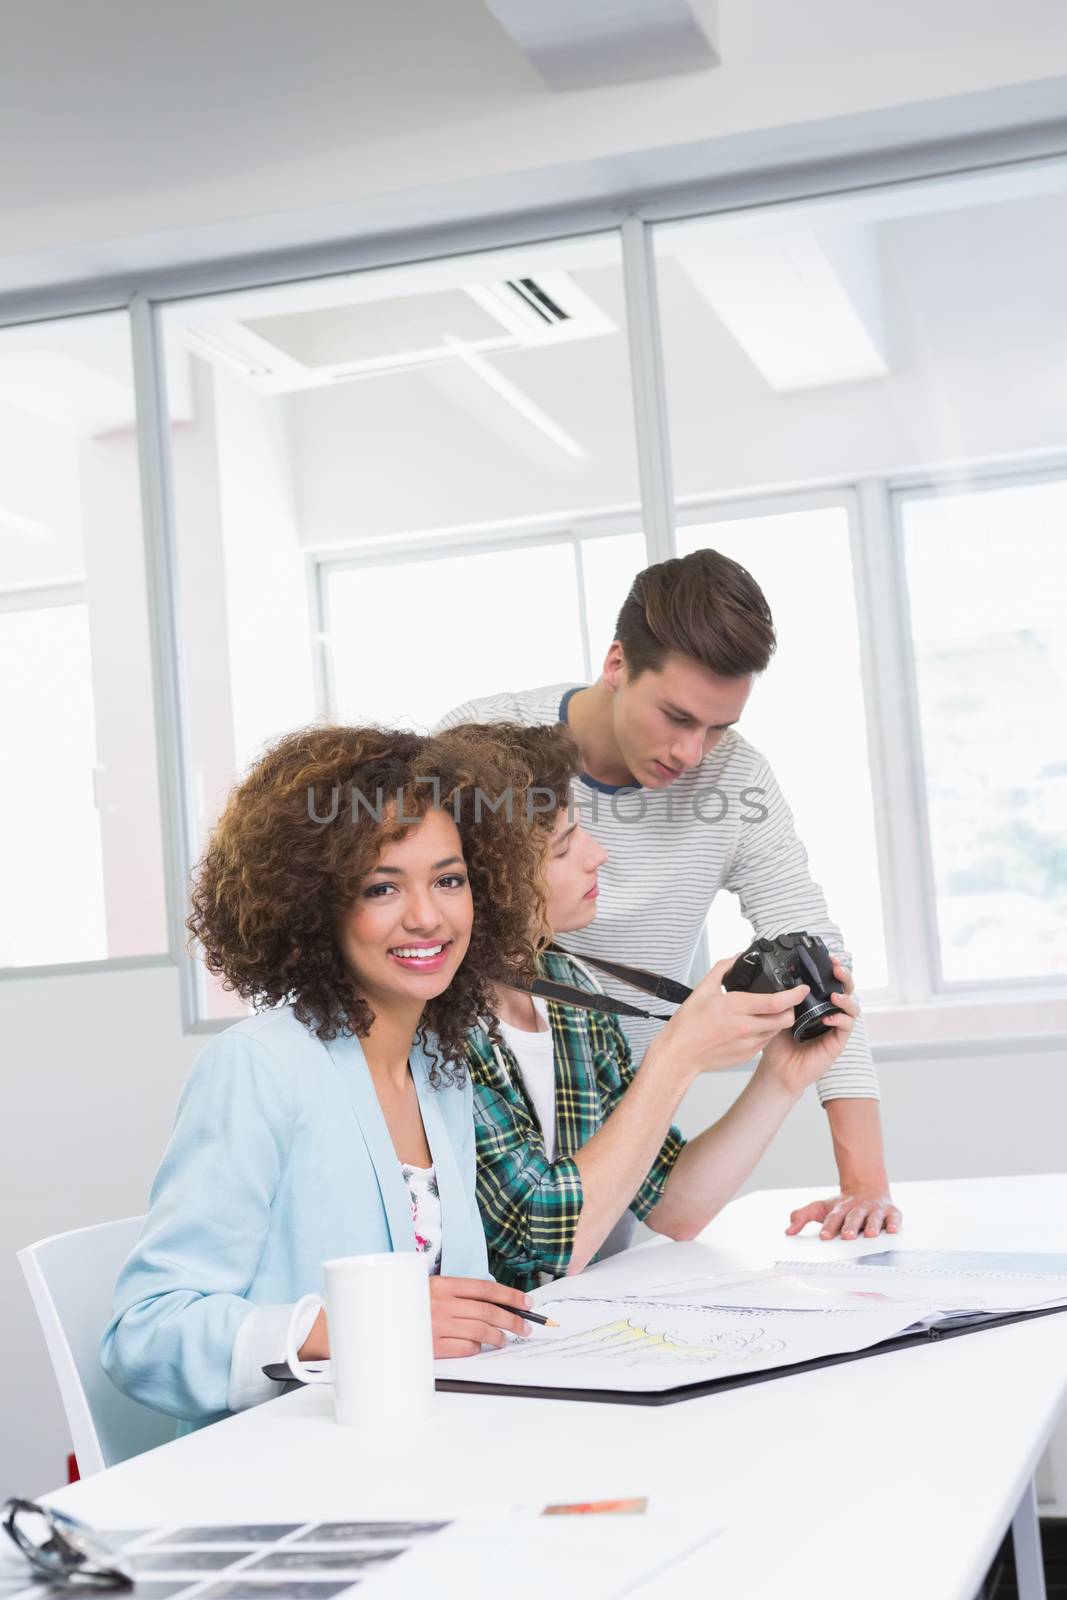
(570,1138)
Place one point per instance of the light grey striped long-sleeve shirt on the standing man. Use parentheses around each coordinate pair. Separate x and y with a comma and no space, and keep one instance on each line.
(721,826)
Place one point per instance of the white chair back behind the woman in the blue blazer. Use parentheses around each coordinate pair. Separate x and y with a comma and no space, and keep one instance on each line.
(71,1279)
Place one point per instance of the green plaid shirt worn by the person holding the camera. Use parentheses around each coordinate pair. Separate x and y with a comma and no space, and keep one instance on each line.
(530,1206)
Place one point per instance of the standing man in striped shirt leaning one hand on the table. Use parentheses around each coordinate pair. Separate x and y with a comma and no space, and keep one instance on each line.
(684,809)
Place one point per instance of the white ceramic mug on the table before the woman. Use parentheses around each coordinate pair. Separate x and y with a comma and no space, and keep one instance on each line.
(382,1340)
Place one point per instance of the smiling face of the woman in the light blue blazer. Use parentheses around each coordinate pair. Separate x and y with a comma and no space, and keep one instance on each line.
(409,929)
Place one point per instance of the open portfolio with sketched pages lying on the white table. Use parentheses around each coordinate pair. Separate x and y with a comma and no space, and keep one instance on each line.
(671,1330)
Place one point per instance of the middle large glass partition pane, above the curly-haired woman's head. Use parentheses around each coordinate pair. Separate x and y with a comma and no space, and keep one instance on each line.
(345,447)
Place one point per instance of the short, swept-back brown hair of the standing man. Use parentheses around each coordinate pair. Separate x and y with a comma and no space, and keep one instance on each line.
(700,606)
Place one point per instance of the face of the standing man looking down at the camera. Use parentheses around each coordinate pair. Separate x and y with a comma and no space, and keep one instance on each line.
(666,722)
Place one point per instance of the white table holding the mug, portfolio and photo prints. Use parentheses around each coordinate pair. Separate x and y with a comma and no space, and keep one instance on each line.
(889,1478)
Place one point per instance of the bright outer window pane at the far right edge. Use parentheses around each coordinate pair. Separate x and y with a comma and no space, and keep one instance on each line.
(988,588)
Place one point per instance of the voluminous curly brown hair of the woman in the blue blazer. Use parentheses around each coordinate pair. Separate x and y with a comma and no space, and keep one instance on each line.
(297,841)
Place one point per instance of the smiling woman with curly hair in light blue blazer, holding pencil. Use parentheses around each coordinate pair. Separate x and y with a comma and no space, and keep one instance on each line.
(362,897)
